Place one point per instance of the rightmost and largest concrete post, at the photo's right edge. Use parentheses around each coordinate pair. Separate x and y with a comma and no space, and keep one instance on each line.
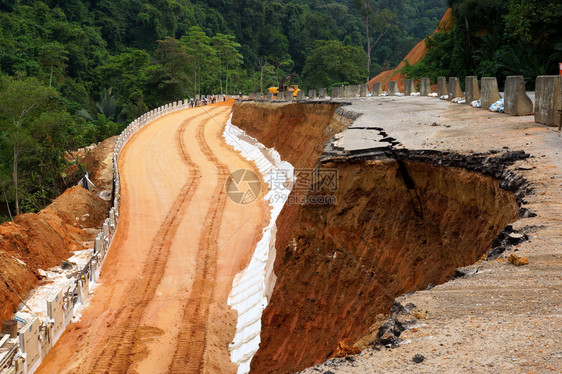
(548,99)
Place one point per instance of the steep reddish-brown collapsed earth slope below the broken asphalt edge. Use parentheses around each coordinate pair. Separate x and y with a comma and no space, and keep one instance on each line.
(393,227)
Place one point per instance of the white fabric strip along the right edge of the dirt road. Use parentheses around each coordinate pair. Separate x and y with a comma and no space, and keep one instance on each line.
(252,287)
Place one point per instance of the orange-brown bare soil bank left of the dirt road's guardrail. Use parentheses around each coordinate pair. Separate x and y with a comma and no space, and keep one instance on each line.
(44,240)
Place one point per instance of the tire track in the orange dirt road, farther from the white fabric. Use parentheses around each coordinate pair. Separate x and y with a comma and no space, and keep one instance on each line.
(115,356)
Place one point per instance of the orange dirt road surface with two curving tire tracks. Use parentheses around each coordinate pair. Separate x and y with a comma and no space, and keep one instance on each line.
(161,305)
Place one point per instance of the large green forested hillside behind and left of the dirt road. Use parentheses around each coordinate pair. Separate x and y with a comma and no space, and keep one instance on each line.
(73,72)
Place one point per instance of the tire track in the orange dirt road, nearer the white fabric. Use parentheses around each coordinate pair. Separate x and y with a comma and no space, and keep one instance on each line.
(191,343)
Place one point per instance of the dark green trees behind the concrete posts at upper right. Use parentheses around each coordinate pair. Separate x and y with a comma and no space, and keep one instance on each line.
(496,38)
